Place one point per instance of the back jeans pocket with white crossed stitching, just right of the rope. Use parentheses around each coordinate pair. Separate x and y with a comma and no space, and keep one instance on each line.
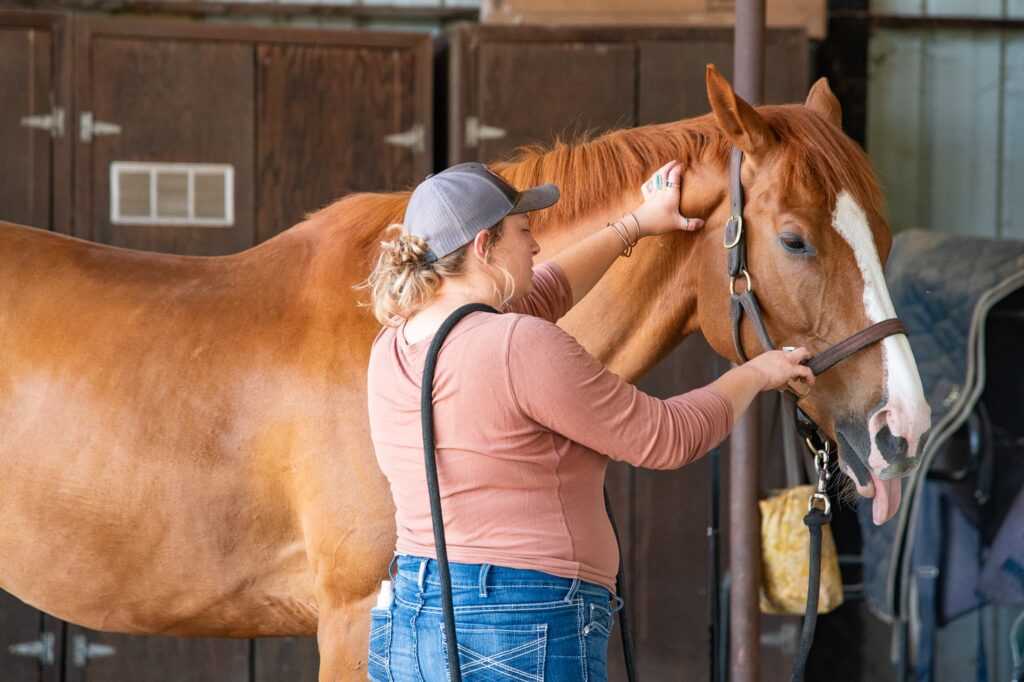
(498,654)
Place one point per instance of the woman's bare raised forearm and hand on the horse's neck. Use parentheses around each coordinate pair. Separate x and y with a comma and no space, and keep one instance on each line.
(586,263)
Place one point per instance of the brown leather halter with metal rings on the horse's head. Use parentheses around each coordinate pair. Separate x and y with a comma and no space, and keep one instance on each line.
(745,304)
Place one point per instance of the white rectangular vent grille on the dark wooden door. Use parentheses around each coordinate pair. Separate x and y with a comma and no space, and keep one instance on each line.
(186,195)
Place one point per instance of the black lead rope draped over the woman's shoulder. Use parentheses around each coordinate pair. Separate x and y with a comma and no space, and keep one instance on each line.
(434,490)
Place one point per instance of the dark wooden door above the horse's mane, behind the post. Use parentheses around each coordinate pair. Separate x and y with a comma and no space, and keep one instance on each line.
(513,87)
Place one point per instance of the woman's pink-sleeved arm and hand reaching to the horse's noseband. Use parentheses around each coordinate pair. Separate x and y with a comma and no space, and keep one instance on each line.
(556,382)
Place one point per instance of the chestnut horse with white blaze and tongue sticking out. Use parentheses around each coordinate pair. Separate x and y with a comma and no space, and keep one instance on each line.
(185,445)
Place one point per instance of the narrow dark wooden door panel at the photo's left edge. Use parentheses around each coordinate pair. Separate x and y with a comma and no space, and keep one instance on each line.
(26,166)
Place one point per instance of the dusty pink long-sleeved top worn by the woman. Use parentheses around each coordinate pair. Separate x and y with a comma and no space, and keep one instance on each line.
(526,421)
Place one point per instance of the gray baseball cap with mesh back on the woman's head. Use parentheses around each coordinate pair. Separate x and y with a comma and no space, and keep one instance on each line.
(450,208)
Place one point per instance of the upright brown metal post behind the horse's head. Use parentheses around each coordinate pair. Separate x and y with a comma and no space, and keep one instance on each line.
(745,528)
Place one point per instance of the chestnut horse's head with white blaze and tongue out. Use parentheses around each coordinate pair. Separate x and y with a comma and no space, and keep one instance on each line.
(817,243)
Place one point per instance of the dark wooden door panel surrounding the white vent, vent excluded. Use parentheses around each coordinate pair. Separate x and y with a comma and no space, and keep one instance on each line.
(177,101)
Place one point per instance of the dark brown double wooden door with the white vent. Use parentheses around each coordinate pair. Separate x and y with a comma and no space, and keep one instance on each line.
(205,141)
